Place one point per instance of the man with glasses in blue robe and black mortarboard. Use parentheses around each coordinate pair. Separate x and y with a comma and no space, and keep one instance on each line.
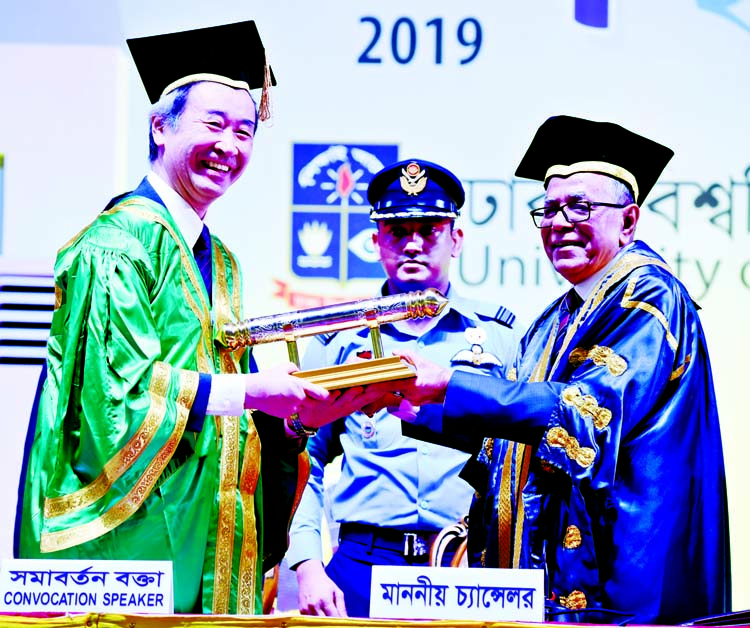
(606,467)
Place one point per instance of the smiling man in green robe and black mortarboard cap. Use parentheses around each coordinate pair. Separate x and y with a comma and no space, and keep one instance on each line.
(148,436)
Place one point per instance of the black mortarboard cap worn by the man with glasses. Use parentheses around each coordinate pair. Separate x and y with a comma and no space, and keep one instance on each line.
(564,145)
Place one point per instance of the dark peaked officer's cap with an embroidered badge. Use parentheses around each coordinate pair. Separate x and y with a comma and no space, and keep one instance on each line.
(415,188)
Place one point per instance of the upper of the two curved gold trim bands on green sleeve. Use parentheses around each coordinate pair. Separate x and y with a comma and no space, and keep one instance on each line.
(124,459)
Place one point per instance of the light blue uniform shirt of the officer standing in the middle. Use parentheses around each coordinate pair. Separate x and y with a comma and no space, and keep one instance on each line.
(387,479)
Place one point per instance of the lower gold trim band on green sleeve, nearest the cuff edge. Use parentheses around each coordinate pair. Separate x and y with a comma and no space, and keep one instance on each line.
(123,509)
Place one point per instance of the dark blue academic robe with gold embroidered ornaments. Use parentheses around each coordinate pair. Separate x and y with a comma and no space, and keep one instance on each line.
(606,467)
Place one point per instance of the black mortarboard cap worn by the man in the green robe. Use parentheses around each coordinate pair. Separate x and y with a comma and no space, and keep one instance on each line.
(233,52)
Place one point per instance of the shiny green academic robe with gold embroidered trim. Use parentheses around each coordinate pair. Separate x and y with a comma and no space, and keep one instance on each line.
(113,473)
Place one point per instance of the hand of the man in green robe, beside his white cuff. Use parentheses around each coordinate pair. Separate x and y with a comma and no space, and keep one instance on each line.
(278,393)
